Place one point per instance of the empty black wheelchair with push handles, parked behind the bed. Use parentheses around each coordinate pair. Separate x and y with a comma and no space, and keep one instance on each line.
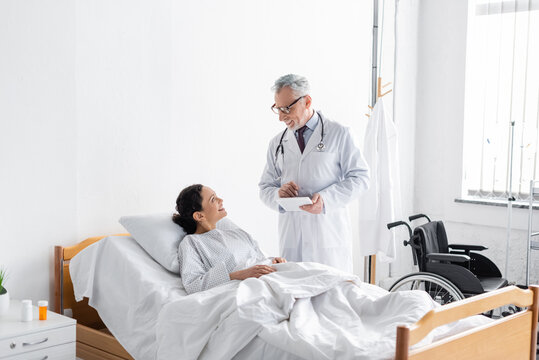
(448,272)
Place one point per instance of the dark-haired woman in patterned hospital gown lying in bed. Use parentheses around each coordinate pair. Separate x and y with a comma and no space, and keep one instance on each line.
(209,256)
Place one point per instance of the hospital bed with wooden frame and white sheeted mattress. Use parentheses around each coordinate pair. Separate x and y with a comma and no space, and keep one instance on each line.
(138,287)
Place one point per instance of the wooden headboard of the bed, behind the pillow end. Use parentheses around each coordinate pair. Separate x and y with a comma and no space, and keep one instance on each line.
(64,297)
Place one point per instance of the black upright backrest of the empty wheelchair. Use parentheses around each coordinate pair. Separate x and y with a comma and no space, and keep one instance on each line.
(429,238)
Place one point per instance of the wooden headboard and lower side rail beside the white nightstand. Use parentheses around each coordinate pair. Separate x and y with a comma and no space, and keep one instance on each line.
(94,341)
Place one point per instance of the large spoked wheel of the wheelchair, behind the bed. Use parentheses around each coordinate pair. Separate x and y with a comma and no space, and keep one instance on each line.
(439,288)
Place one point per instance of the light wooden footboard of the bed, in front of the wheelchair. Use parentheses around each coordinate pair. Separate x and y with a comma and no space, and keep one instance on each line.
(511,337)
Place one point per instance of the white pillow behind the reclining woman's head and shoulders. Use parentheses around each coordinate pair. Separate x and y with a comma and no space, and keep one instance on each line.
(161,237)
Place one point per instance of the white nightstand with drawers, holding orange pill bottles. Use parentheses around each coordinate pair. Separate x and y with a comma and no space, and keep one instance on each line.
(53,338)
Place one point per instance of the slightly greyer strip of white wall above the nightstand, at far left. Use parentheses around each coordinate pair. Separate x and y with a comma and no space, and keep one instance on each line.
(37,141)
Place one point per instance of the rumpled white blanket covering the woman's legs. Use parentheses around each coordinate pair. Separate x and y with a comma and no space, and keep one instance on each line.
(307,309)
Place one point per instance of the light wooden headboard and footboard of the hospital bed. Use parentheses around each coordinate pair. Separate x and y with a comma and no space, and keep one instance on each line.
(511,337)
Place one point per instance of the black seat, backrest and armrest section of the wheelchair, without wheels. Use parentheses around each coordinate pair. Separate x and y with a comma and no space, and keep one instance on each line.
(468,270)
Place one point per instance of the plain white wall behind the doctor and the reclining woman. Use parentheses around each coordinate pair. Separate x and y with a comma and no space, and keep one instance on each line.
(111,108)
